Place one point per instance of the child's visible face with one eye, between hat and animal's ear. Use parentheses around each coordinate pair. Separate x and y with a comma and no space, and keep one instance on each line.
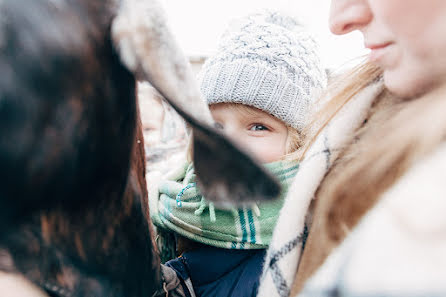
(254,130)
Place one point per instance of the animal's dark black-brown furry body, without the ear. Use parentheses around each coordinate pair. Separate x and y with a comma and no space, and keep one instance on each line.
(73,197)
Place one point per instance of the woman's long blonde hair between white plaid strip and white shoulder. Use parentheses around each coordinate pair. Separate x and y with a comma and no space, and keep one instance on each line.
(397,134)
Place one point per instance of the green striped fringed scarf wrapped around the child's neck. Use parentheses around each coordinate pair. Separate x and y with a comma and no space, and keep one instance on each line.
(180,208)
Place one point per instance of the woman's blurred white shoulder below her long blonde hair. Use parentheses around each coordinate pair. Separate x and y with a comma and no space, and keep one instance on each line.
(398,246)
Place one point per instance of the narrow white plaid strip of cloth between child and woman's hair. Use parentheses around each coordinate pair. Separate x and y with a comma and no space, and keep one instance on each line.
(284,252)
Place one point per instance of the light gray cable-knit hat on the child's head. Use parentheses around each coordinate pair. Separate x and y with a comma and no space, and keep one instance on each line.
(268,61)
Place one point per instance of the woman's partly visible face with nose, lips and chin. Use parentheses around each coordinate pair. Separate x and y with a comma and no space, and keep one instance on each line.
(407,39)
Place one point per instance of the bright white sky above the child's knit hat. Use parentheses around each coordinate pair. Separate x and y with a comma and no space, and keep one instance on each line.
(198,24)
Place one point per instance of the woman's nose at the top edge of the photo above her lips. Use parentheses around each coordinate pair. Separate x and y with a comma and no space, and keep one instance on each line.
(349,15)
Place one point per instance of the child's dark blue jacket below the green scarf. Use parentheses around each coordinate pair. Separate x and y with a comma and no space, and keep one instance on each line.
(220,272)
